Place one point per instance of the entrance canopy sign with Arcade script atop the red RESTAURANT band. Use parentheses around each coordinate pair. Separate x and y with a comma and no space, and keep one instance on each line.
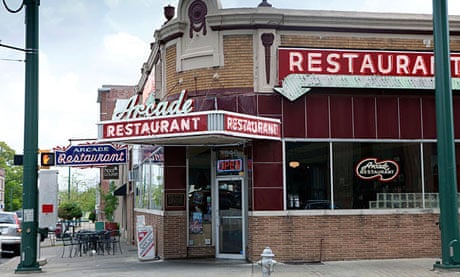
(170,122)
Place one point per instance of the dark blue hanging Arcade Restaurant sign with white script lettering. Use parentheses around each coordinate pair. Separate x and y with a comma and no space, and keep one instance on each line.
(91,155)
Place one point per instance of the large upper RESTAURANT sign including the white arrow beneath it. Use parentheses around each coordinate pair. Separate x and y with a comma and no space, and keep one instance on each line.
(301,69)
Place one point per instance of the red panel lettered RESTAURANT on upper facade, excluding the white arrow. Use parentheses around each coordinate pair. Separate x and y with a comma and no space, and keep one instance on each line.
(360,62)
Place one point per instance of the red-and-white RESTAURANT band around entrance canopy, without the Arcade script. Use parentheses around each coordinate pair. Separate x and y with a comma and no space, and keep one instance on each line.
(214,123)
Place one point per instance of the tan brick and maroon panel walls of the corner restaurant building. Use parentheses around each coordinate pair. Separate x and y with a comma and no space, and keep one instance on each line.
(234,85)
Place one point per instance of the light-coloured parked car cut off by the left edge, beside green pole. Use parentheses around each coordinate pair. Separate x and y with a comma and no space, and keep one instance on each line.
(10,234)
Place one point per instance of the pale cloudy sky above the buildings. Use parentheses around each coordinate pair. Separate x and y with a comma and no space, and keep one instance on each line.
(85,44)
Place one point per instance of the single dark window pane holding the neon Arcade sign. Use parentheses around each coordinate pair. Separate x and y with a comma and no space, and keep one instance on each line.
(377,175)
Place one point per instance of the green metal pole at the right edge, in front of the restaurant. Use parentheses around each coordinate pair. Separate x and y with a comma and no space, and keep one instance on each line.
(448,220)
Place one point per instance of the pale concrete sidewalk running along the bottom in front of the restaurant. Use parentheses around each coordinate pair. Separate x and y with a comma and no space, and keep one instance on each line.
(127,264)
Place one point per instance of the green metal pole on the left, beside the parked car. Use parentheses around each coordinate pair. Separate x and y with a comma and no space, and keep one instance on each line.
(28,259)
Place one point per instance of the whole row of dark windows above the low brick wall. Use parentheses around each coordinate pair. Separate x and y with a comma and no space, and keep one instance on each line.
(365,175)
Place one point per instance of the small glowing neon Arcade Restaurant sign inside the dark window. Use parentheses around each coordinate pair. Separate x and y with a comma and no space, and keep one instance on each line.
(371,168)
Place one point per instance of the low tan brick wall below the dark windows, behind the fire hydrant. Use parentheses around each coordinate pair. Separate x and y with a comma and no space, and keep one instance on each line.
(344,237)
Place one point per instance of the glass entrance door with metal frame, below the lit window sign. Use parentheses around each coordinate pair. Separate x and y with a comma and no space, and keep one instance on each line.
(230,223)
